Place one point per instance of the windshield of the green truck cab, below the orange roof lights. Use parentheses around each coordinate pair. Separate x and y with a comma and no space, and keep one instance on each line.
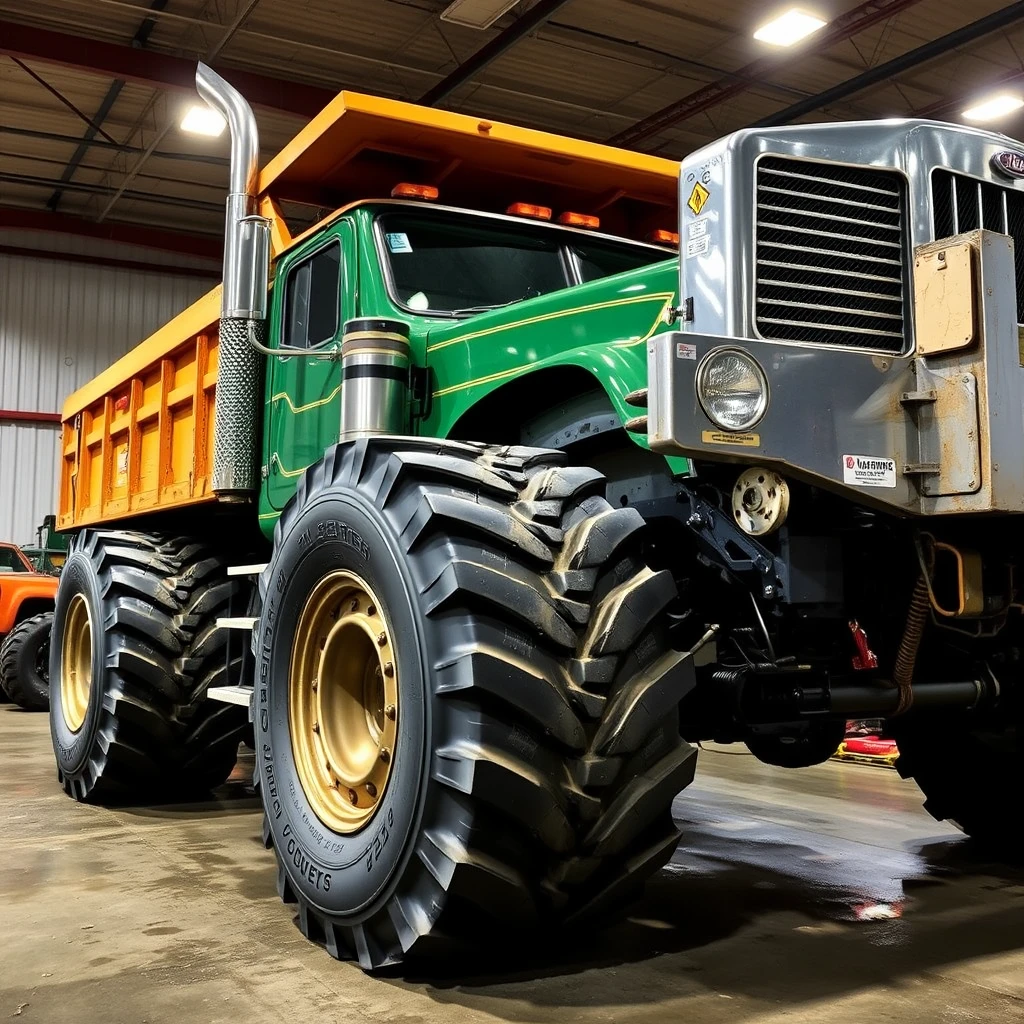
(456,264)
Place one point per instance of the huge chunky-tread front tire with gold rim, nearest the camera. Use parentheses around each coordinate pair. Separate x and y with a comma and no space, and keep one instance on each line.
(466,702)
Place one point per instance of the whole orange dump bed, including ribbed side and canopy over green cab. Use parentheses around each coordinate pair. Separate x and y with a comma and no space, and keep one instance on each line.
(140,437)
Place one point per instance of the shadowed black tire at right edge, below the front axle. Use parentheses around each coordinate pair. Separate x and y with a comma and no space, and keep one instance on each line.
(967,777)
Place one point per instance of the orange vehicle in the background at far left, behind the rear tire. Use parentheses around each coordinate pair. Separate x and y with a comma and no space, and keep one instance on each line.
(26,619)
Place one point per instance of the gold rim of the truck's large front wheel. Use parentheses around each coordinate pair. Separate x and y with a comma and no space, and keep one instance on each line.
(344,702)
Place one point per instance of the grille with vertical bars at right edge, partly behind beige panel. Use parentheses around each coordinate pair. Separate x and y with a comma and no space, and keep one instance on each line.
(962,204)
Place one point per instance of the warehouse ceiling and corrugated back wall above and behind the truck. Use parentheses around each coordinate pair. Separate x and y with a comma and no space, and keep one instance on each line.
(97,165)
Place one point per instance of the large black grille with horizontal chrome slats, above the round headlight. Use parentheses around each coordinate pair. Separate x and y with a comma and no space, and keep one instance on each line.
(830,254)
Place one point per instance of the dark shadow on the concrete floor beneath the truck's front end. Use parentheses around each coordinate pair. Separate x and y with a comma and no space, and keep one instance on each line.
(755,932)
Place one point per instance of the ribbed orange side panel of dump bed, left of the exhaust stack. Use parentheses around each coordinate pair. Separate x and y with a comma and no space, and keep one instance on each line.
(146,441)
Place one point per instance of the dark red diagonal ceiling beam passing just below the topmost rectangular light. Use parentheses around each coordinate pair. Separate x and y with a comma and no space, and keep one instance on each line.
(854,22)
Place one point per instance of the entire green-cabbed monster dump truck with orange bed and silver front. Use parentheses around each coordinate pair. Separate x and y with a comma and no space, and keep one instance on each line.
(485,504)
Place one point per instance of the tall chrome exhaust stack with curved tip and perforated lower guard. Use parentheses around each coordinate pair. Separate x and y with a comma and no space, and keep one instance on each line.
(244,300)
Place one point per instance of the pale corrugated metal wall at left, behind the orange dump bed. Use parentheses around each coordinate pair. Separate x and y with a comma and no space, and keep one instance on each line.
(61,324)
